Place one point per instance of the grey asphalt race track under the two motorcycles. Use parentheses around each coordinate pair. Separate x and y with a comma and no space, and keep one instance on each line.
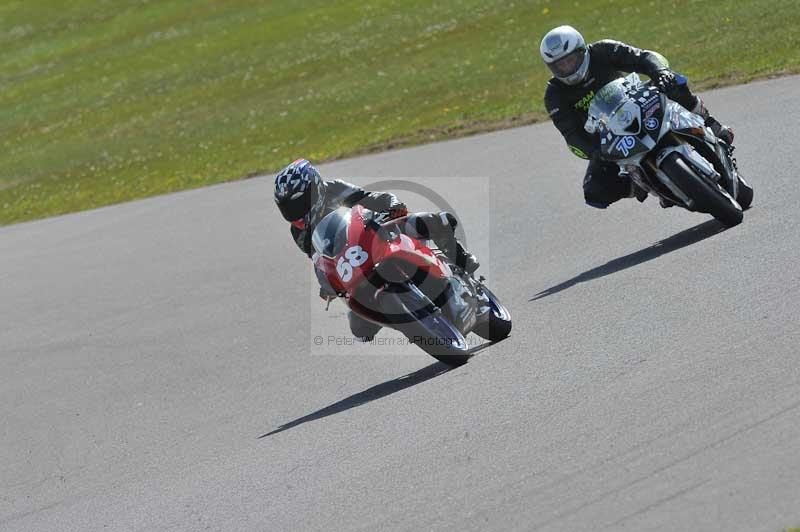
(158,371)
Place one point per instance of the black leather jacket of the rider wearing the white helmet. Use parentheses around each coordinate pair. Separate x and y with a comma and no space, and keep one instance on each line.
(568,105)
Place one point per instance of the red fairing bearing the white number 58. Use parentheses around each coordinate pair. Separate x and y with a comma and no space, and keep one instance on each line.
(365,249)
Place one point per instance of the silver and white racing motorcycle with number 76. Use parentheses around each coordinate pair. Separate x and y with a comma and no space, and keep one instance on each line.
(667,150)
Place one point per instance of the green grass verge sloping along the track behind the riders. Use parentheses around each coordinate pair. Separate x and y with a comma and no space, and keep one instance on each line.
(104,102)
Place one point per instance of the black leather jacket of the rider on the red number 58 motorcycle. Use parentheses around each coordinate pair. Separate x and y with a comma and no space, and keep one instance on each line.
(335,194)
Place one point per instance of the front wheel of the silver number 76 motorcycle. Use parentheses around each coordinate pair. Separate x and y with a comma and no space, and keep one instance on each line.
(710,197)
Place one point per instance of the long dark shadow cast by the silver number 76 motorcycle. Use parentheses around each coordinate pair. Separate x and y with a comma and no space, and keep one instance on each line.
(677,241)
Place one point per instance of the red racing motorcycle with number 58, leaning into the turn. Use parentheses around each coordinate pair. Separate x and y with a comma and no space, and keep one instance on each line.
(397,281)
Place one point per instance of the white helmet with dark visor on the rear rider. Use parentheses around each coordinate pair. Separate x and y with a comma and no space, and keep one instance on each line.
(564,52)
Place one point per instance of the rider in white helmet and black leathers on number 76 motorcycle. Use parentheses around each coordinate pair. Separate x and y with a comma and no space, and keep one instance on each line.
(579,71)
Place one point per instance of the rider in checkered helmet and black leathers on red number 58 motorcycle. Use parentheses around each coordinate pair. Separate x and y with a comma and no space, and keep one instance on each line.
(304,199)
